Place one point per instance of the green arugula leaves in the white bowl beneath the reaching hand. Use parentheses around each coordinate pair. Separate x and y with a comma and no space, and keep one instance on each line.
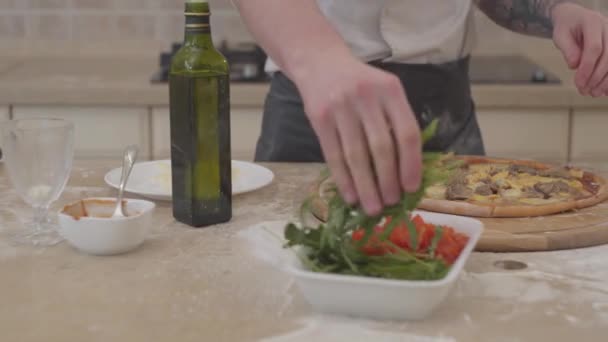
(329,247)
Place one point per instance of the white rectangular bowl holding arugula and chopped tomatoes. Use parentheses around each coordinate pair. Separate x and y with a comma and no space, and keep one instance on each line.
(379,298)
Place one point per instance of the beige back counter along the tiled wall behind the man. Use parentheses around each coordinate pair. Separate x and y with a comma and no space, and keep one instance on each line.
(118,74)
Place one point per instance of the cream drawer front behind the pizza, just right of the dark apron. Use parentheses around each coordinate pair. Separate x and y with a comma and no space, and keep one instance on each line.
(528,134)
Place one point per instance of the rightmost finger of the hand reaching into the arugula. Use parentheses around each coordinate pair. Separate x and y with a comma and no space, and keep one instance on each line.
(406,134)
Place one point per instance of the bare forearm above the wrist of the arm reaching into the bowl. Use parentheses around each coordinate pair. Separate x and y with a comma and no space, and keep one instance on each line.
(295,34)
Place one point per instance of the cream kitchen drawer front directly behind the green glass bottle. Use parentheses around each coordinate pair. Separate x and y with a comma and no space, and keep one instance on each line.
(245,126)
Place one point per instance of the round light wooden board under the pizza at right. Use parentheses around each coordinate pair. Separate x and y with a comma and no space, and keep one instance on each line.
(575,229)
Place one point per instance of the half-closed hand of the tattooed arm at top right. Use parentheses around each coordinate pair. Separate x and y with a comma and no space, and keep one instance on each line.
(582,36)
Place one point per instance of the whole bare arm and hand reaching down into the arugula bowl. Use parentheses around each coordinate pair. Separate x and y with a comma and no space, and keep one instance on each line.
(366,128)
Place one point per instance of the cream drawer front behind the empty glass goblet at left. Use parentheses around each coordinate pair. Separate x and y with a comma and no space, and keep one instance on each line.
(101,132)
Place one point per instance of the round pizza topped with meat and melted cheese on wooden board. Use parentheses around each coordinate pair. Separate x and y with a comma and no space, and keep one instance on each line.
(502,182)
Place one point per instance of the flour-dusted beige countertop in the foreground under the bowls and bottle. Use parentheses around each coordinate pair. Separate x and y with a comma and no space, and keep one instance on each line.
(187,284)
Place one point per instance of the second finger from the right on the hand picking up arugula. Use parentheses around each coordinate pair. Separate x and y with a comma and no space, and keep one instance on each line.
(380,142)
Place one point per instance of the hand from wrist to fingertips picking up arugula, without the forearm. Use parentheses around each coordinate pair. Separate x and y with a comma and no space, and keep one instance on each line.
(366,128)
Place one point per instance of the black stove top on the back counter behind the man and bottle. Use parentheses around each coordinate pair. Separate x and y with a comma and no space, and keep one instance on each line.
(247,65)
